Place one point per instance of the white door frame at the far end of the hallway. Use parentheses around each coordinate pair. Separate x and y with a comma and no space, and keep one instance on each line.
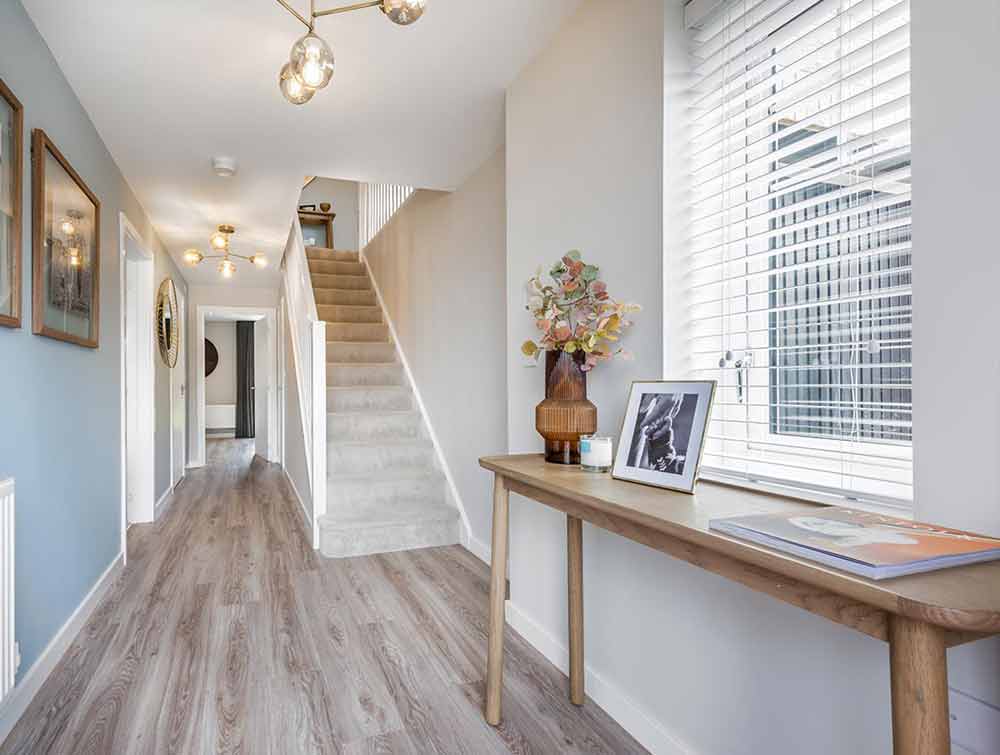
(198,450)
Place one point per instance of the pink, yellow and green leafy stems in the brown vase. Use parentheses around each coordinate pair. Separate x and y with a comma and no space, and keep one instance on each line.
(575,313)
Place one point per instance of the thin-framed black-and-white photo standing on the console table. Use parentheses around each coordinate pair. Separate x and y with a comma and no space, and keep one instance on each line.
(663,433)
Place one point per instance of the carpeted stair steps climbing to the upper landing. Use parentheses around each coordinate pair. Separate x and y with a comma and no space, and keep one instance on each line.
(385,489)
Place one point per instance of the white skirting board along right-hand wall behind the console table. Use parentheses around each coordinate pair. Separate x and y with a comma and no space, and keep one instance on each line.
(649,732)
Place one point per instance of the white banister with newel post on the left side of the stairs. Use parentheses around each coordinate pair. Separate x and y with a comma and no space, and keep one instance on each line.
(308,342)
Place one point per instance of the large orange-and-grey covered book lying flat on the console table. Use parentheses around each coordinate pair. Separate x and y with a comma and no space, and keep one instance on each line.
(870,545)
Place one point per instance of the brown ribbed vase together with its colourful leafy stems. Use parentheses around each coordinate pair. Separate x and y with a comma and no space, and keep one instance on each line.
(579,322)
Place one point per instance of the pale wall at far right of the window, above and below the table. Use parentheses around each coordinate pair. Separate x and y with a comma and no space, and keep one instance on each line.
(956,353)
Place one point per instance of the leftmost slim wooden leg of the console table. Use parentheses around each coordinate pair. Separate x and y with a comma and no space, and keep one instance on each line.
(498,591)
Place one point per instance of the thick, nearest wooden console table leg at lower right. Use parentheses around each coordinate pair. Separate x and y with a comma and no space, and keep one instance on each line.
(919,676)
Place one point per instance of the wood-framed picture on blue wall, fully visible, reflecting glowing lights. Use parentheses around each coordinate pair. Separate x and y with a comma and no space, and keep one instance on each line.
(66,249)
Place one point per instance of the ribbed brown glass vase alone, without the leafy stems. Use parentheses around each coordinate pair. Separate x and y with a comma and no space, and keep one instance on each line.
(565,414)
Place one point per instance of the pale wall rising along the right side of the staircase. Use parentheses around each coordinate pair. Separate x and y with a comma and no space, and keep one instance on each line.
(439,264)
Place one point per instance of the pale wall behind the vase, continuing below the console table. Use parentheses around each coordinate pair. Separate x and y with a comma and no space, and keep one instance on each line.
(684,659)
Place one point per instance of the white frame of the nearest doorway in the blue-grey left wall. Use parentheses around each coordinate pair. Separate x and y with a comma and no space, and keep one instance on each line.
(144,442)
